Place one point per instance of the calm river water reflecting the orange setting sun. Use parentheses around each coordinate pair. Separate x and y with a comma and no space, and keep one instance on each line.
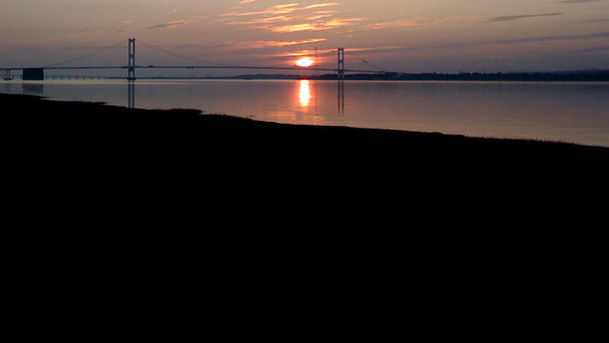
(567,112)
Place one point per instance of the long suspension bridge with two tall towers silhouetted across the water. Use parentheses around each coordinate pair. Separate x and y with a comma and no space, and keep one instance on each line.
(38,73)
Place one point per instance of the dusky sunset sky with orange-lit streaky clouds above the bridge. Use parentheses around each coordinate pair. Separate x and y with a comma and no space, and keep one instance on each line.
(391,35)
